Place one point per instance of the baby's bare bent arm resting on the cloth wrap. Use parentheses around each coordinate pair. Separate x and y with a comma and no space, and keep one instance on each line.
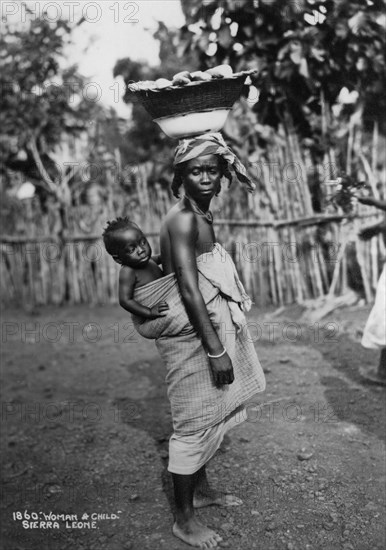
(126,291)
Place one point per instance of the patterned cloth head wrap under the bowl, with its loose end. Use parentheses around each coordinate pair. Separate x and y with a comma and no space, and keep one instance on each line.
(212,144)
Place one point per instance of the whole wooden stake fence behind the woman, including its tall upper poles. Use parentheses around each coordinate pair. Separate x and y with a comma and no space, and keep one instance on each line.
(285,252)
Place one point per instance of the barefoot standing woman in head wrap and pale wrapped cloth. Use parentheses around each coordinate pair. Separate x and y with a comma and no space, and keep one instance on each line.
(215,372)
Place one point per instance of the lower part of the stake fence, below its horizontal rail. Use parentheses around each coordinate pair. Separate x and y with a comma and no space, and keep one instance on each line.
(279,263)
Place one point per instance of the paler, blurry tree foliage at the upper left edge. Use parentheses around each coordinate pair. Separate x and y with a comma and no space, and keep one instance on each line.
(40,102)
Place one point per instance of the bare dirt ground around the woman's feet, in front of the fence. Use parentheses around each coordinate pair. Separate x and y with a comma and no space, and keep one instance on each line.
(86,421)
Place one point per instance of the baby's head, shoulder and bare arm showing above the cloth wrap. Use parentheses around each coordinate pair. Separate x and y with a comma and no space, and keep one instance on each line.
(126,243)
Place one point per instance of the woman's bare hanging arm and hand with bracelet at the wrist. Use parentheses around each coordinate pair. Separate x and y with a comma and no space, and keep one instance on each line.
(183,236)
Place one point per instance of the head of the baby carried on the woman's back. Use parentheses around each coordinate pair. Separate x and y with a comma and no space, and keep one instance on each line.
(126,243)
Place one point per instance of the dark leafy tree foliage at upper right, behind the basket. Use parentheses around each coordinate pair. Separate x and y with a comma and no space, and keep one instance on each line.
(302,50)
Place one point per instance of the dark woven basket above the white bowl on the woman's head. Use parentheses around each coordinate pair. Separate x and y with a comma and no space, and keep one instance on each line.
(197,96)
